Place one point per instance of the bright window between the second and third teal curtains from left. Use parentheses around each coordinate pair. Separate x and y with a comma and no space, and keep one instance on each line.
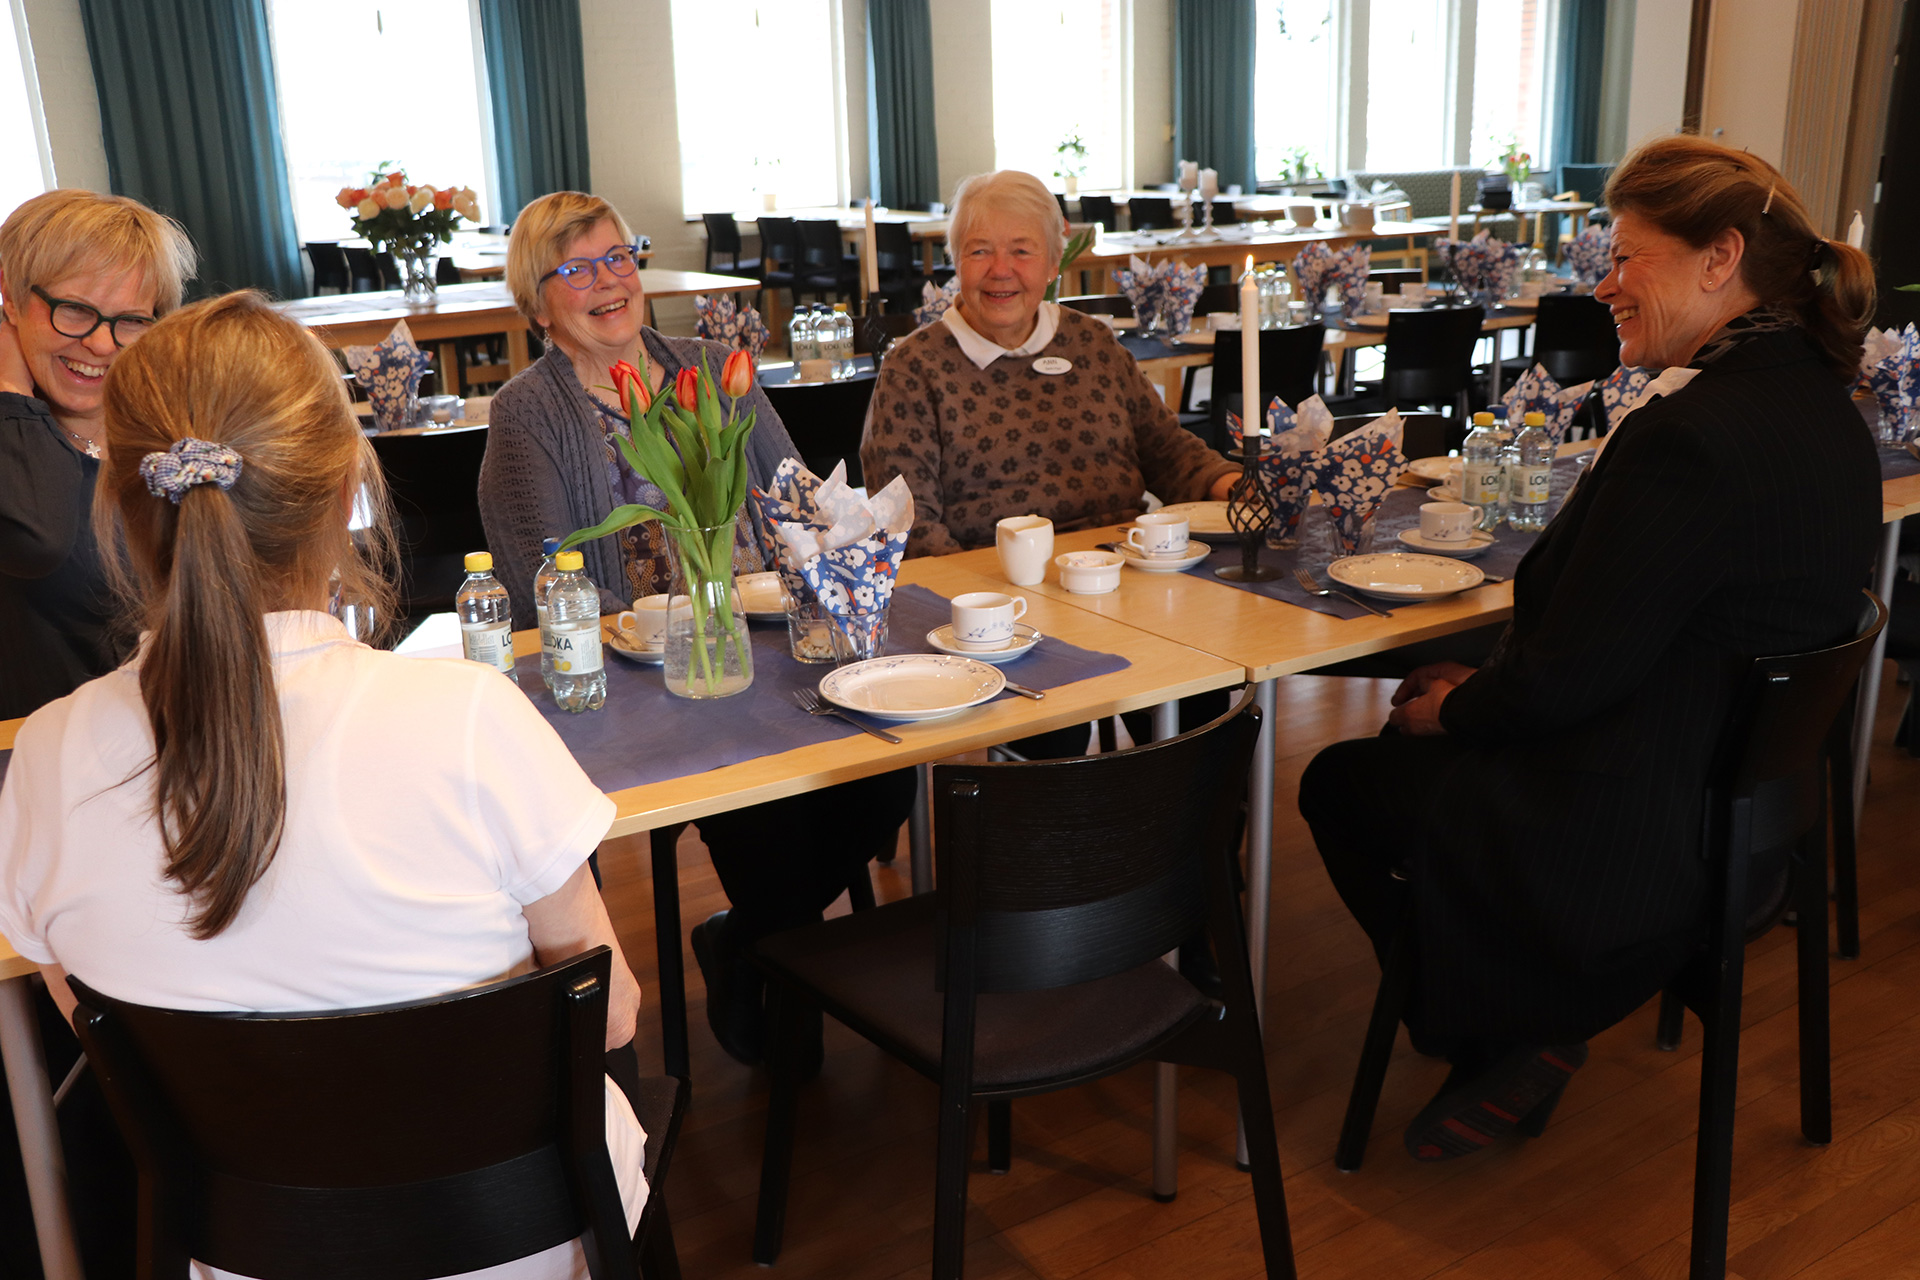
(771,131)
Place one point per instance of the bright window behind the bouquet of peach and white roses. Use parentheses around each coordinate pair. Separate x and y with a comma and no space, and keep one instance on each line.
(352,101)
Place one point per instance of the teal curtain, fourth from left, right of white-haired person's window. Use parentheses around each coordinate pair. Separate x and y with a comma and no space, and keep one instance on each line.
(1214,87)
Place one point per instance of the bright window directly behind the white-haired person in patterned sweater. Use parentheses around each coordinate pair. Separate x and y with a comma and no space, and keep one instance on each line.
(1059,72)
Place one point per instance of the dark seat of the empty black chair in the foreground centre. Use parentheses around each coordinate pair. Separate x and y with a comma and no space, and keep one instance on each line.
(875,972)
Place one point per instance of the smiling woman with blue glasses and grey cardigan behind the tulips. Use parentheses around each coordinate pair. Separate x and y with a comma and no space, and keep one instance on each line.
(552,469)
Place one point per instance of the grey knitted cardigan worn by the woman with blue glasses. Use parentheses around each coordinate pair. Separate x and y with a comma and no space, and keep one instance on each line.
(546,467)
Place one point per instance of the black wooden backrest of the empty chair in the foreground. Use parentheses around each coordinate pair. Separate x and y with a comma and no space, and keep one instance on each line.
(1072,870)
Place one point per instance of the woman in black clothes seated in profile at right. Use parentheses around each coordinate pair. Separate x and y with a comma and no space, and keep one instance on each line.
(1545,811)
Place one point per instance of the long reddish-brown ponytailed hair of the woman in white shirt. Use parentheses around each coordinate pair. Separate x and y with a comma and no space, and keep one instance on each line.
(203,573)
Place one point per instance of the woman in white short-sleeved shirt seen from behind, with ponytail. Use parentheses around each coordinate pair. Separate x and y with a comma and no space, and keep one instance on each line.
(324,824)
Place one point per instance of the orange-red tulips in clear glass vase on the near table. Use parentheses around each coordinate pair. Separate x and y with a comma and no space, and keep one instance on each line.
(698,460)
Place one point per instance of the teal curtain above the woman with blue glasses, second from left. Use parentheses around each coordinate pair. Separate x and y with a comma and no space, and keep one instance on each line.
(539,87)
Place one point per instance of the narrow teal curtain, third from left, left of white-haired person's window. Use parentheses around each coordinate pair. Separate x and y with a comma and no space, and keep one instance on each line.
(903,158)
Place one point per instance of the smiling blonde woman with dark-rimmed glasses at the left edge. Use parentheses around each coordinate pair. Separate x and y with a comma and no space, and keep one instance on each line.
(82,275)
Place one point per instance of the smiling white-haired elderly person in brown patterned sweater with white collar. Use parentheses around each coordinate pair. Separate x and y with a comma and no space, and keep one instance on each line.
(1013,404)
